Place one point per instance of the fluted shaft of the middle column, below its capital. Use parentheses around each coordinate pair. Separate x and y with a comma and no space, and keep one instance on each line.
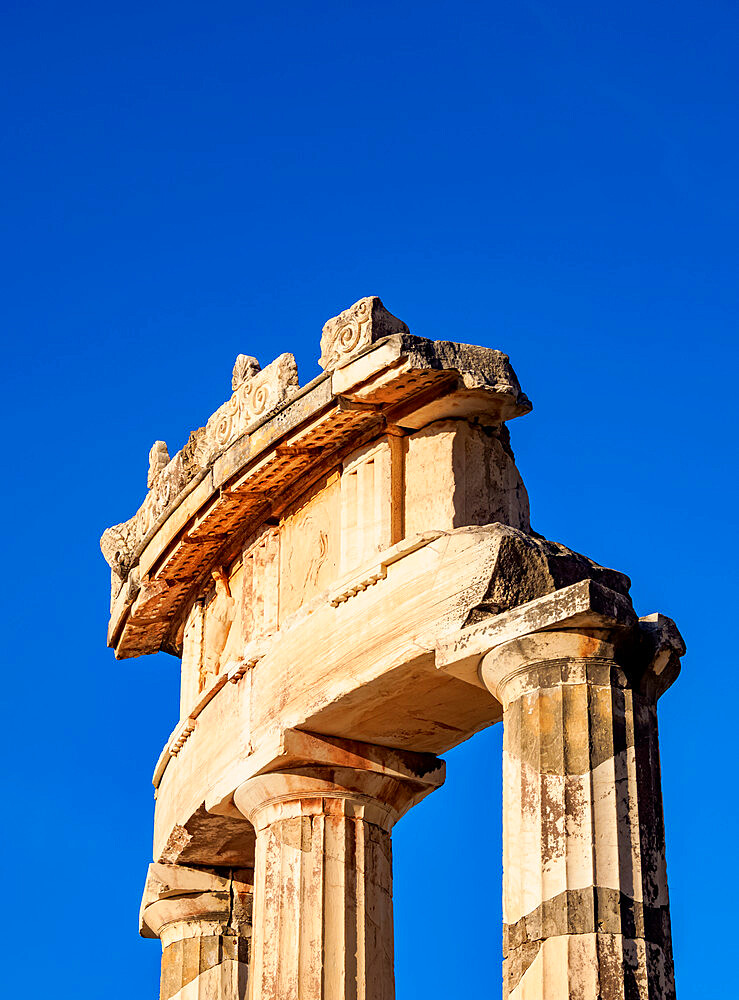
(324,916)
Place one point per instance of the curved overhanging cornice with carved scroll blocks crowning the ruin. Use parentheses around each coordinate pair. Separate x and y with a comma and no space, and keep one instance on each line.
(263,446)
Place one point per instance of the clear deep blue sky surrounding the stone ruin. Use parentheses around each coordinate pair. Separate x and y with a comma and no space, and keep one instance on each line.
(182,182)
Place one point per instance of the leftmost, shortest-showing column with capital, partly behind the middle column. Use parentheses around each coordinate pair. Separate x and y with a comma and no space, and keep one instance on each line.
(203,920)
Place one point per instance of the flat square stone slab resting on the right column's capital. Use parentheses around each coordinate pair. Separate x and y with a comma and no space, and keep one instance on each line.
(583,605)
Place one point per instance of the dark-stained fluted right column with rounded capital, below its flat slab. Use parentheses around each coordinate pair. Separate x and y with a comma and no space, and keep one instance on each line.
(585,902)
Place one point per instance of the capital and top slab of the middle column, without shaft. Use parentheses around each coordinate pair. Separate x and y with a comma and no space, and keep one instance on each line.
(359,780)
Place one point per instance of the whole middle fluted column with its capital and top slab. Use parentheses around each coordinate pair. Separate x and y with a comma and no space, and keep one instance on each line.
(323,917)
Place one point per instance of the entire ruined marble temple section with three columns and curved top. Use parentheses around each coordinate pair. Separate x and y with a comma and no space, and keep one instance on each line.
(348,574)
